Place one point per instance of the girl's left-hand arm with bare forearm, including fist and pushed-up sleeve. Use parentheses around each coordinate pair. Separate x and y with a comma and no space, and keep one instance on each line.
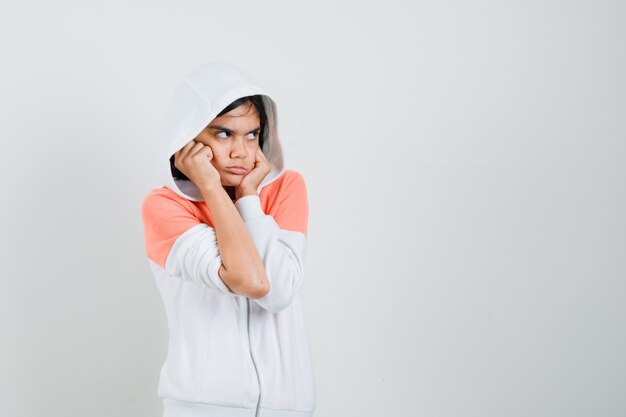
(224,257)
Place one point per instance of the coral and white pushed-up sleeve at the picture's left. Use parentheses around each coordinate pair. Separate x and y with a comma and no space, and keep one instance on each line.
(179,242)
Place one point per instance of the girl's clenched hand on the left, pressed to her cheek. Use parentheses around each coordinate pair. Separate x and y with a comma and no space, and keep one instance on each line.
(194,160)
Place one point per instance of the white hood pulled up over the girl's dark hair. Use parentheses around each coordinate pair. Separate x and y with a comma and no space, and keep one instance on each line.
(202,93)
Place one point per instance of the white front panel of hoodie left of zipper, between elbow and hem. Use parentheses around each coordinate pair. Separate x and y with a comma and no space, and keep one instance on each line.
(207,359)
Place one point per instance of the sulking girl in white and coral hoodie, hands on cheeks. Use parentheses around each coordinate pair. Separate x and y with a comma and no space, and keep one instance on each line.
(225,237)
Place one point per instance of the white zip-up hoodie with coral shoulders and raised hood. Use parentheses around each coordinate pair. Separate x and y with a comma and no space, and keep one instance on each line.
(228,355)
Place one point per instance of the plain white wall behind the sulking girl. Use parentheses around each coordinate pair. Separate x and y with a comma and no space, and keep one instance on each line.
(465,163)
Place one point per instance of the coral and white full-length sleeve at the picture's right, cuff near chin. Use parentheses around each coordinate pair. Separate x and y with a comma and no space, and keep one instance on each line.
(280,240)
